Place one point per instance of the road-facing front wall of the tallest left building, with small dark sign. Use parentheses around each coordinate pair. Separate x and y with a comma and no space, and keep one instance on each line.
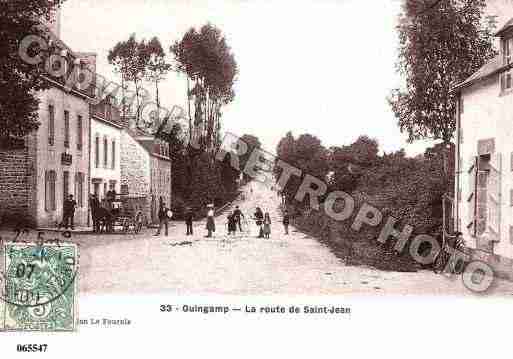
(62,156)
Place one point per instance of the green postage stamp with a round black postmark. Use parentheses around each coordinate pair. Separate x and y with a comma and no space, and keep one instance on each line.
(39,287)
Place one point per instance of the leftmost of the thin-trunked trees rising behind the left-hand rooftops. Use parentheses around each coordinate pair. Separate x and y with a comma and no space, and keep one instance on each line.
(130,58)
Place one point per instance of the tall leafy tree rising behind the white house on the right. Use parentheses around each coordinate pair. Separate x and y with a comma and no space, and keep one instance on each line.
(442,42)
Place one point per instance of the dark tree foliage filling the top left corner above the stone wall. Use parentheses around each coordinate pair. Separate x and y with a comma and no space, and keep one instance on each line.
(19,80)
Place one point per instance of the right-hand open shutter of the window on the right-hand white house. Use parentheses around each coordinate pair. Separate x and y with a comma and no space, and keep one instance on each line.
(494,195)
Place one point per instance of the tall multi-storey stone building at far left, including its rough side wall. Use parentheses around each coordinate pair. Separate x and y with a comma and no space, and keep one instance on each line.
(52,162)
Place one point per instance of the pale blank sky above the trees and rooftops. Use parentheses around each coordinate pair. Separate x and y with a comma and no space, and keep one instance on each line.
(323,67)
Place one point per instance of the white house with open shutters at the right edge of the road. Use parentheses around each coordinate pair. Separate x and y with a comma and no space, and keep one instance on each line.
(484,152)
